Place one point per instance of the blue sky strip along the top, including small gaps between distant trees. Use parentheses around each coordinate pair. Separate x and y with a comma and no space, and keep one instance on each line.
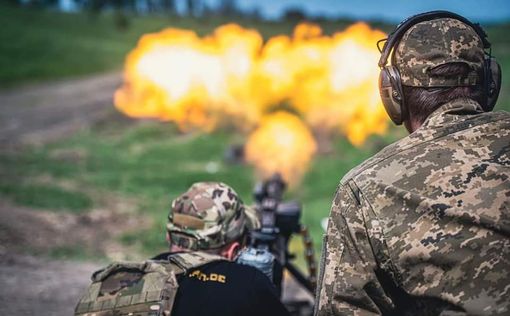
(367,10)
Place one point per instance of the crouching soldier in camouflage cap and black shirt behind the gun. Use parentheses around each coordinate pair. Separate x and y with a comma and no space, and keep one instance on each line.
(207,226)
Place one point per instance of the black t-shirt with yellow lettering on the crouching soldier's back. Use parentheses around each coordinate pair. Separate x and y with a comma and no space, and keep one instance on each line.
(226,288)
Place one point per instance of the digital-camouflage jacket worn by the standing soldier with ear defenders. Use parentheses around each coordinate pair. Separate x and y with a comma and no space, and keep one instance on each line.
(423,227)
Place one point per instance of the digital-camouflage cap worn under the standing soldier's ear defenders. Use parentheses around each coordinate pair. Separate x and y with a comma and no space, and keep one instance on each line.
(429,44)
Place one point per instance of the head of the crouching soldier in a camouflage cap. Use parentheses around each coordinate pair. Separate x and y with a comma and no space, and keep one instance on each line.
(210,217)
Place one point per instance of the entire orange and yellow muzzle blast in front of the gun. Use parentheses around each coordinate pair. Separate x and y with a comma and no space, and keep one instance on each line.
(231,77)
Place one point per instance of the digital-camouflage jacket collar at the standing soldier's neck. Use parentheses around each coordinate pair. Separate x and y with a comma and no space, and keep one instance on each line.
(452,111)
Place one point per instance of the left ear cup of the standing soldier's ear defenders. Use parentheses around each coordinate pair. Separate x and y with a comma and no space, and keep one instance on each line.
(390,90)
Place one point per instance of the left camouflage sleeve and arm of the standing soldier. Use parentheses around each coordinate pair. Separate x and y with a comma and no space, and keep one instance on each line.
(347,283)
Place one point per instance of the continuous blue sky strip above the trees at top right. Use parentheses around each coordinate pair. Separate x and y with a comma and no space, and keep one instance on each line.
(388,10)
